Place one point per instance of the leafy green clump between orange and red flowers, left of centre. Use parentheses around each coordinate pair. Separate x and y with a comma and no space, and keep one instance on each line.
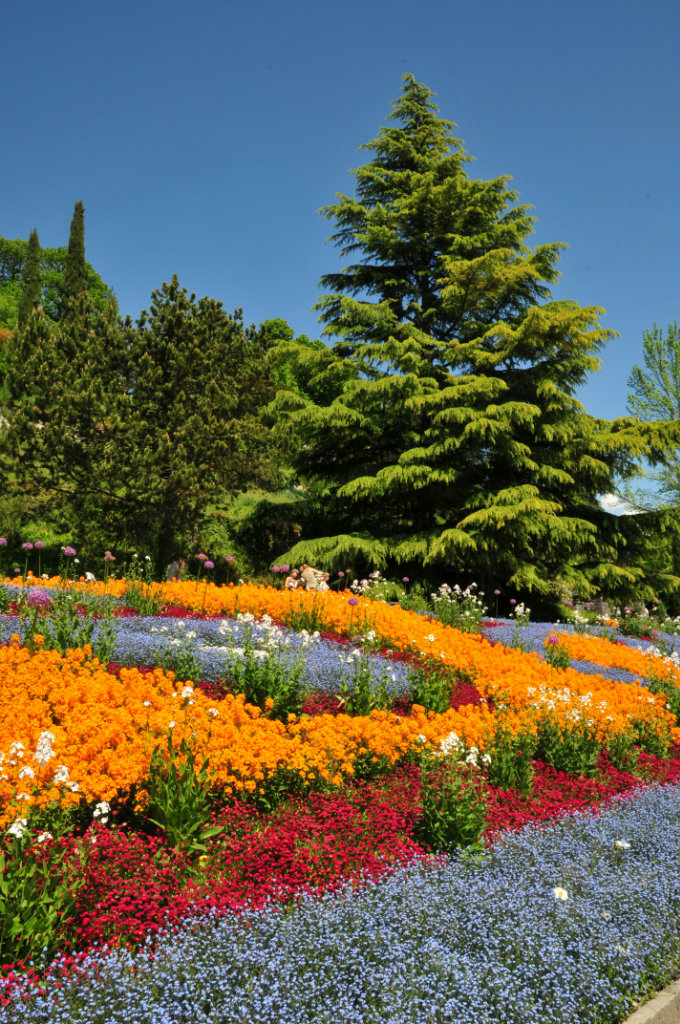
(180,797)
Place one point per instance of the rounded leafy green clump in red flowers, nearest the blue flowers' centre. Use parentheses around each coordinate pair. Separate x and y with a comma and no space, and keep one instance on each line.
(453,810)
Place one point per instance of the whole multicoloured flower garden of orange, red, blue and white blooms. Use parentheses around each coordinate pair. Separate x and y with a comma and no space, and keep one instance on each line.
(243,804)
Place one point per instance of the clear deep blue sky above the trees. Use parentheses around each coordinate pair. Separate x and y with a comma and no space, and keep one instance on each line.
(204,138)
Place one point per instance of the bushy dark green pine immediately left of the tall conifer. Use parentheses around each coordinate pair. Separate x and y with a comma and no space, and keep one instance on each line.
(198,385)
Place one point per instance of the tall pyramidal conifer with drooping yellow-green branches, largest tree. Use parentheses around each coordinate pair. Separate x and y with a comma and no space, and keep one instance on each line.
(456,442)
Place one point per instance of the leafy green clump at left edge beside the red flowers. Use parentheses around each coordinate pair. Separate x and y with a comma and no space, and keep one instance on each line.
(39,883)
